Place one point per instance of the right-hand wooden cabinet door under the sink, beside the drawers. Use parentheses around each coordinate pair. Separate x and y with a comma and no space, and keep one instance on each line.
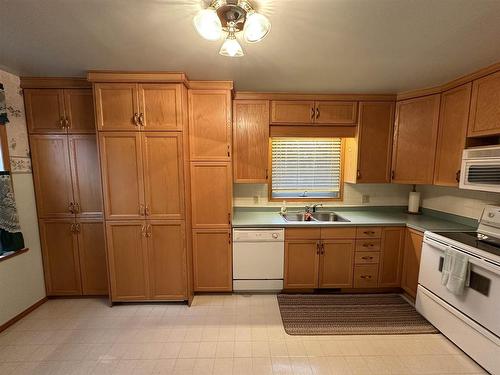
(336,263)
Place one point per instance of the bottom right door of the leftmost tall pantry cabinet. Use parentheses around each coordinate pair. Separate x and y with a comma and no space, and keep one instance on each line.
(92,250)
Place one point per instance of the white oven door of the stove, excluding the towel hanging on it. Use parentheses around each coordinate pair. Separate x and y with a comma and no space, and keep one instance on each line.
(480,301)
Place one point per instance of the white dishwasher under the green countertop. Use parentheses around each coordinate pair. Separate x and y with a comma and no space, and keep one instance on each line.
(258,259)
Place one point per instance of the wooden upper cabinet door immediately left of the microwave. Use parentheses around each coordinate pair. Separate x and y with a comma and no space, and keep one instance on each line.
(453,119)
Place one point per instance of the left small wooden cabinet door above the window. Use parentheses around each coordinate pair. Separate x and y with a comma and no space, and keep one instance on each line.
(291,112)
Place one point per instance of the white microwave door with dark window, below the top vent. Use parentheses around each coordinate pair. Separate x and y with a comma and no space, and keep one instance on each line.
(480,174)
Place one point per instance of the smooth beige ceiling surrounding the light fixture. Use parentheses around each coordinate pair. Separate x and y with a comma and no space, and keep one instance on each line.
(355,46)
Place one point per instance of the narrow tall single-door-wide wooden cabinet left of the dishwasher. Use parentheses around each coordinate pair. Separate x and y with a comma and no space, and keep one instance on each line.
(210,144)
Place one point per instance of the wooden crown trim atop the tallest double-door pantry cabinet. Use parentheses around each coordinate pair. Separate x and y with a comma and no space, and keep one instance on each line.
(131,76)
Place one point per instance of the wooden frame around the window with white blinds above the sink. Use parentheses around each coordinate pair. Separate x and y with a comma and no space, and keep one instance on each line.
(340,198)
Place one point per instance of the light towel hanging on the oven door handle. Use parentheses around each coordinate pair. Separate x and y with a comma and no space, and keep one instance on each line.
(456,271)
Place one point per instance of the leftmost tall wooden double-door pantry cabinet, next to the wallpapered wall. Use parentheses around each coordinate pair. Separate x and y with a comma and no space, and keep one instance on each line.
(60,119)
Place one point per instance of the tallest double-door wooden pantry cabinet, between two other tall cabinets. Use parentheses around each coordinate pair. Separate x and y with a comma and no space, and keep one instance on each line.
(144,156)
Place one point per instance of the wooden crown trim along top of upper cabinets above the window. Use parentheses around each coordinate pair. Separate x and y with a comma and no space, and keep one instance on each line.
(249,95)
